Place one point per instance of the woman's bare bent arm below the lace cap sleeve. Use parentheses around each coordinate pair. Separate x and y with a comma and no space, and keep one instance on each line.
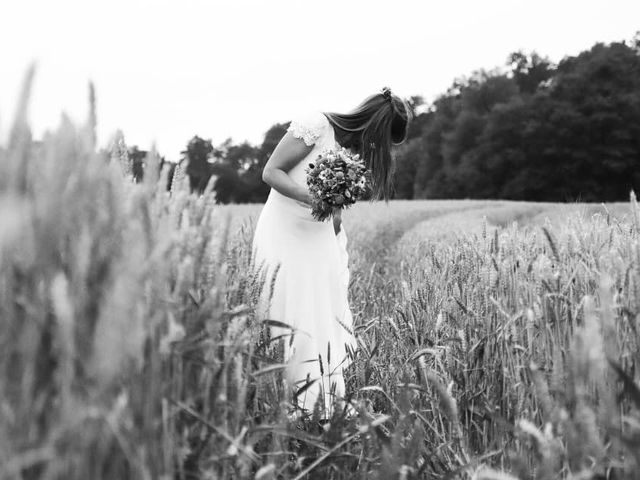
(287,154)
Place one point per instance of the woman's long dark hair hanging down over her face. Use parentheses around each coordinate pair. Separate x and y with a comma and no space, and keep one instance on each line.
(370,129)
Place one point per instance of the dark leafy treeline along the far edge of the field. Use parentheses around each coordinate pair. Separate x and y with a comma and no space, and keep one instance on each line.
(530,130)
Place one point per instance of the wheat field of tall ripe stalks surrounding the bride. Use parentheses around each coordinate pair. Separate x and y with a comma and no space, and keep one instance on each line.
(497,340)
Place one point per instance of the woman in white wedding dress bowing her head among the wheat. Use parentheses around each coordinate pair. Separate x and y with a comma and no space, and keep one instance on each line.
(307,258)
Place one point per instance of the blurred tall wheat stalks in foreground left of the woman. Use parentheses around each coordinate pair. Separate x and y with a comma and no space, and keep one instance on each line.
(117,316)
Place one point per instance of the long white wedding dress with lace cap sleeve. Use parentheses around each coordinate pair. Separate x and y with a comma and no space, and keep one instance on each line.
(310,288)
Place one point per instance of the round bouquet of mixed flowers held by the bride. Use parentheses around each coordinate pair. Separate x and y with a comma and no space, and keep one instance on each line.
(336,180)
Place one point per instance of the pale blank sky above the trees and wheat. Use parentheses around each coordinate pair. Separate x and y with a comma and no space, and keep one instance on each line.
(165,71)
